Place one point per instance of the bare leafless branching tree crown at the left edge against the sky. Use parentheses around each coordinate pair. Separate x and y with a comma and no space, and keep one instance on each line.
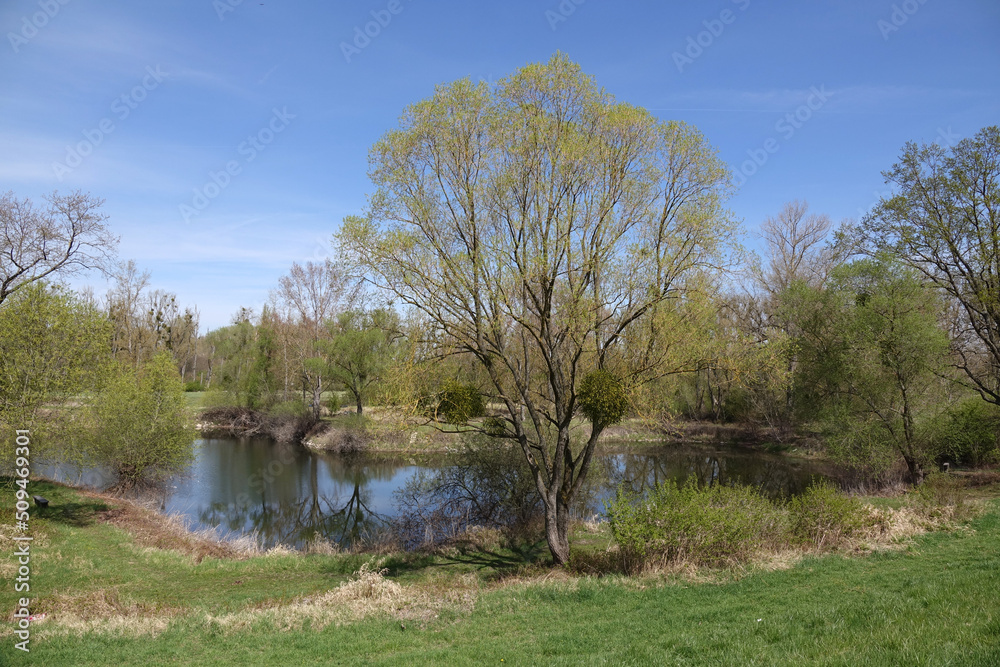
(36,243)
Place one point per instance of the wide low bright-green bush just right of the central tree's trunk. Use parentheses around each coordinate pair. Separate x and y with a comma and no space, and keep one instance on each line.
(714,525)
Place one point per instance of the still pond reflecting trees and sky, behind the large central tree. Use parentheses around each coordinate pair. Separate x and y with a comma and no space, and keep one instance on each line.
(286,494)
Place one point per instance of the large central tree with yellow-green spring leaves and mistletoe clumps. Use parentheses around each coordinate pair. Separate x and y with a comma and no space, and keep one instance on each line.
(535,223)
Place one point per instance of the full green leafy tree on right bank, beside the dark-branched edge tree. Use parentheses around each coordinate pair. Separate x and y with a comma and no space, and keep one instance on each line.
(872,355)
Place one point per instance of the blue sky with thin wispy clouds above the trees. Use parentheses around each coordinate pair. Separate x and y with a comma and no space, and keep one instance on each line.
(258,108)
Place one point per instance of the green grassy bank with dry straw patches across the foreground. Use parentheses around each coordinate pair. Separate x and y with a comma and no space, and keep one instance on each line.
(121,586)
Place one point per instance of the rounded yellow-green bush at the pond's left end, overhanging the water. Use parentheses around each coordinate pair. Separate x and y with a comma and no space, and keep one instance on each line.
(140,424)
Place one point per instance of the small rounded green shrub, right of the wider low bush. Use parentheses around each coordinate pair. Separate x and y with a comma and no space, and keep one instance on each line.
(825,517)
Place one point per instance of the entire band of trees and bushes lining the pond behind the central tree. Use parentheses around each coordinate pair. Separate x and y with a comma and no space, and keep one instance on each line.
(877,338)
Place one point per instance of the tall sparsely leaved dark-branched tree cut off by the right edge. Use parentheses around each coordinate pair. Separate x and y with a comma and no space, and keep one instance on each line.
(944,221)
